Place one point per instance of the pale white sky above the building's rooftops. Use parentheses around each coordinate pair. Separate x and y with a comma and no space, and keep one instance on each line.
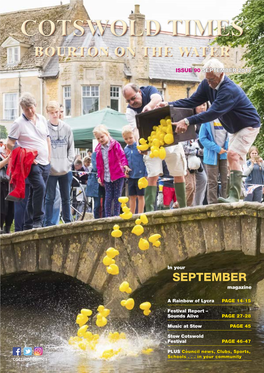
(160,10)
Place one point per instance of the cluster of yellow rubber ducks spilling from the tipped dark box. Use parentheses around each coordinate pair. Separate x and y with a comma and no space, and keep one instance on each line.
(161,135)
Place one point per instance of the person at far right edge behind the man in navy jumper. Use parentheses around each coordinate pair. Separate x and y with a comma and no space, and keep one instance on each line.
(255,176)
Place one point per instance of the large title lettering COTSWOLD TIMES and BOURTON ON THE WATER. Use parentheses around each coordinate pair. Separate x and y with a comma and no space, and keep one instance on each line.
(119,28)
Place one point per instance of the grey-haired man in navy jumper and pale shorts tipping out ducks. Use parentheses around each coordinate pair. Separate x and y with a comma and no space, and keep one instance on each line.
(234,110)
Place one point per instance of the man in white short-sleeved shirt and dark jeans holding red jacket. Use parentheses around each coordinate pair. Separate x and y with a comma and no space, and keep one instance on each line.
(30,131)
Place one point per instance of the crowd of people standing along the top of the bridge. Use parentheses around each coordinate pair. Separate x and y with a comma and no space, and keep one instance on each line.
(204,170)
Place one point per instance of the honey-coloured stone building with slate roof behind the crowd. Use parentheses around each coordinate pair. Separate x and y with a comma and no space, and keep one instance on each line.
(88,71)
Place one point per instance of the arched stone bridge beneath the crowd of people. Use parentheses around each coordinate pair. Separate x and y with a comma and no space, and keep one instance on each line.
(210,238)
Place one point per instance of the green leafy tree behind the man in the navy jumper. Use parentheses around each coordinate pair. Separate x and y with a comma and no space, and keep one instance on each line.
(252,22)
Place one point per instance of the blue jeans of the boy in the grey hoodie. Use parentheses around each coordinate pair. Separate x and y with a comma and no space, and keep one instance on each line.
(65,185)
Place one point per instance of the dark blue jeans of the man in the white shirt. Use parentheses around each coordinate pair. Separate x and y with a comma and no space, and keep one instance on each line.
(37,179)
